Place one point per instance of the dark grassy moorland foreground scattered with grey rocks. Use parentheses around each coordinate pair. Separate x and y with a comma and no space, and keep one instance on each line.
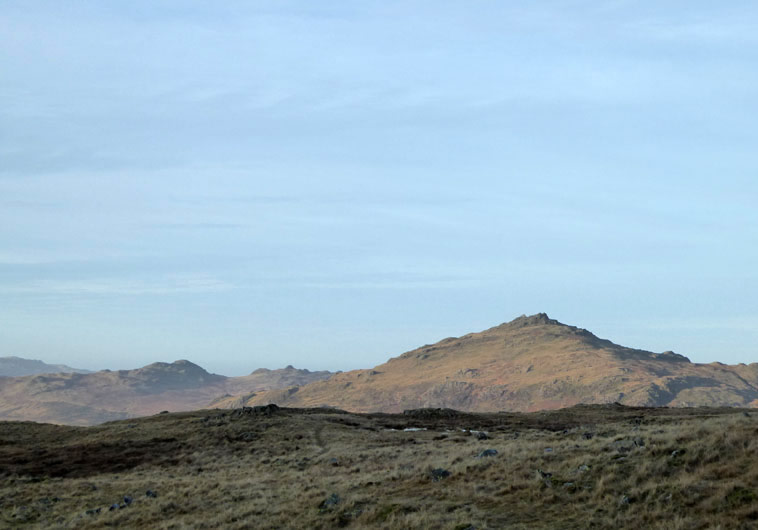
(587,466)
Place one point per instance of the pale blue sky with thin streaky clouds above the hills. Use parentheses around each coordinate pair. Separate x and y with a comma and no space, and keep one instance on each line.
(329,184)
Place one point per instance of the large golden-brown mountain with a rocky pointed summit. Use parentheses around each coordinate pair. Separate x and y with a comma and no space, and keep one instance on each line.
(528,364)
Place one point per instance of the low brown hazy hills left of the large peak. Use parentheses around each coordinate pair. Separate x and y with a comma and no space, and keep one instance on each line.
(87,399)
